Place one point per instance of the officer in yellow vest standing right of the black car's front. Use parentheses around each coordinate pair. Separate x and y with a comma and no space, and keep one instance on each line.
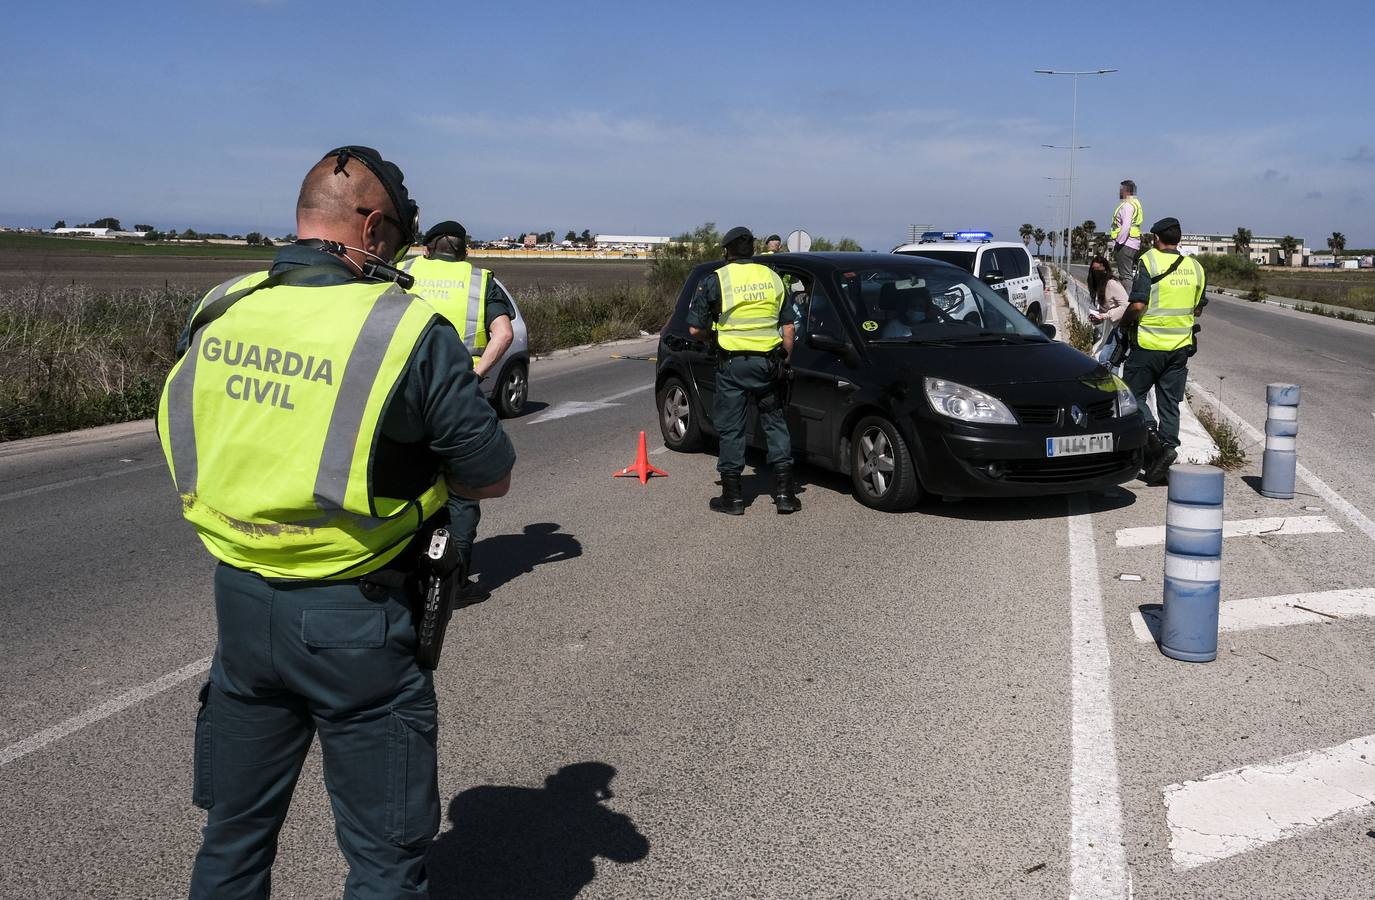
(1167,299)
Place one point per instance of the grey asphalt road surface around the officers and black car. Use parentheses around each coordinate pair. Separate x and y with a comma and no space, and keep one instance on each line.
(837,704)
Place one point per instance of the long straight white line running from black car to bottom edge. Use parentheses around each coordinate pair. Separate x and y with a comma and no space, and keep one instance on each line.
(1098,861)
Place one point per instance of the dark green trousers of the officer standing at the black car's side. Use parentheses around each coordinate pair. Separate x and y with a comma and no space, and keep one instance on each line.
(743,380)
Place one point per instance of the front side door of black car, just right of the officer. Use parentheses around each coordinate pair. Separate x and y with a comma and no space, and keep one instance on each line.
(822,380)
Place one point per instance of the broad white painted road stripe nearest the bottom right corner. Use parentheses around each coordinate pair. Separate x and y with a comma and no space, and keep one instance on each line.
(1246,809)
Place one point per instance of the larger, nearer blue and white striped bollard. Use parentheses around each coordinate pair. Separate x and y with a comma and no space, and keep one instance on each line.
(1193,564)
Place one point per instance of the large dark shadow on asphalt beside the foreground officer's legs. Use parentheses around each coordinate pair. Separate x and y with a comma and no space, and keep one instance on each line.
(509,843)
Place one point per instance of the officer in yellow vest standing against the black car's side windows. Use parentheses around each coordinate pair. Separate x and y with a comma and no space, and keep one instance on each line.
(746,304)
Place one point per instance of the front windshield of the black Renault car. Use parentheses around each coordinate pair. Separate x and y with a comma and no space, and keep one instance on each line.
(911,304)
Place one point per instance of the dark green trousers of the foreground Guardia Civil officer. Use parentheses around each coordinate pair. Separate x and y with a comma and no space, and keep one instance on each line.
(295,662)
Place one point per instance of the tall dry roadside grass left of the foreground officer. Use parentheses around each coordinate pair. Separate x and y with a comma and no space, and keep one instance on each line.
(74,358)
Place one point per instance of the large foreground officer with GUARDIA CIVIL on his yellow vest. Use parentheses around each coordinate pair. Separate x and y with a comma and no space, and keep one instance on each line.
(317,418)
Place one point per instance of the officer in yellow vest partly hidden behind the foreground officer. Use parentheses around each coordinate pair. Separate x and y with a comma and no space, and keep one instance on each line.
(472,303)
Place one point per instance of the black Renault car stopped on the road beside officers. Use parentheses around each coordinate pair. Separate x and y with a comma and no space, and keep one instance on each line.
(916,379)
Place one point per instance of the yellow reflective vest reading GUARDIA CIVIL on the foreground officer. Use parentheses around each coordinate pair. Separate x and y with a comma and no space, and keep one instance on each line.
(272,421)
